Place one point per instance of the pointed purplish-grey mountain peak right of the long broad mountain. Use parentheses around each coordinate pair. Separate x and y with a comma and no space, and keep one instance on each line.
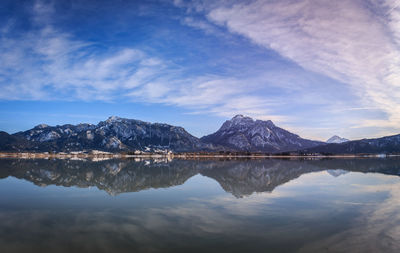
(245,134)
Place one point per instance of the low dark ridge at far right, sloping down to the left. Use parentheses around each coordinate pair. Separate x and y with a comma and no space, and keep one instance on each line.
(388,144)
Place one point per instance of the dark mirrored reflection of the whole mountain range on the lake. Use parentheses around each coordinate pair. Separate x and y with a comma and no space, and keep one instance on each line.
(239,177)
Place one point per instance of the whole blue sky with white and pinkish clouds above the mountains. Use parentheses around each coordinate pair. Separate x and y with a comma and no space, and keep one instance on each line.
(314,67)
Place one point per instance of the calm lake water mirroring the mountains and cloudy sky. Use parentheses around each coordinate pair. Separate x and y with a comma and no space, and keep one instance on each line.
(337,205)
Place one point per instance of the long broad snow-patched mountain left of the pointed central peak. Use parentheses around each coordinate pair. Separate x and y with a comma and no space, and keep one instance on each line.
(113,134)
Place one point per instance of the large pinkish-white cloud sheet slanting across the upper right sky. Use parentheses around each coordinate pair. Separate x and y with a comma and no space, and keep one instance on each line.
(355,42)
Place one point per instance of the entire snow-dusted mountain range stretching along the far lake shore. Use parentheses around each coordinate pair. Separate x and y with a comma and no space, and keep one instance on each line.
(241,133)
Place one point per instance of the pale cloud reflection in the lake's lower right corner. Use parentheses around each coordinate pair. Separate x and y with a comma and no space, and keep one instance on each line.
(377,224)
